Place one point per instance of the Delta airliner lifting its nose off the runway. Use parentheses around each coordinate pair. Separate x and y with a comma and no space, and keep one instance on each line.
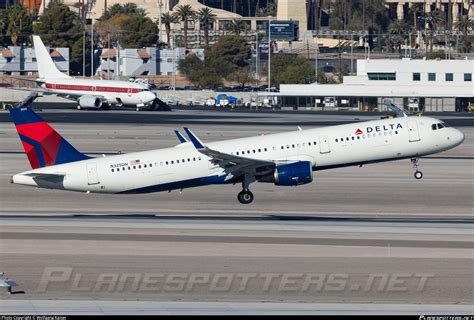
(284,159)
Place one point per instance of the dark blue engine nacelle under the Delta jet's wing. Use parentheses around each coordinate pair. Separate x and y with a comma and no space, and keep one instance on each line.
(291,174)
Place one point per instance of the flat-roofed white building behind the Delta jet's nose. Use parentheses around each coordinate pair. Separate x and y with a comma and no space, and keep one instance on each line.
(429,85)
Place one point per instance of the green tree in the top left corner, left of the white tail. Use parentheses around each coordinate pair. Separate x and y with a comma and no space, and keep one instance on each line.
(17,24)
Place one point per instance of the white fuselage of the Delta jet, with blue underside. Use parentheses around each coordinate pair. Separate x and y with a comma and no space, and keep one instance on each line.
(184,166)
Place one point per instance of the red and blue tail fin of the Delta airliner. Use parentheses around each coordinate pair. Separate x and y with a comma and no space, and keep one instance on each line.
(43,145)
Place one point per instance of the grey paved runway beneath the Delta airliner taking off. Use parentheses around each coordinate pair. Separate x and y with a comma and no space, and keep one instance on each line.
(354,239)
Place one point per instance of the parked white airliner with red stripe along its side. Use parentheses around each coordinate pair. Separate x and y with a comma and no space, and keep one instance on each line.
(89,93)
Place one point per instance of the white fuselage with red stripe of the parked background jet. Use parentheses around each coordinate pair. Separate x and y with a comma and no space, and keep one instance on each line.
(112,91)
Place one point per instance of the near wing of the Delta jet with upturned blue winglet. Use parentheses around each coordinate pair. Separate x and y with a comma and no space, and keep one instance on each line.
(234,165)
